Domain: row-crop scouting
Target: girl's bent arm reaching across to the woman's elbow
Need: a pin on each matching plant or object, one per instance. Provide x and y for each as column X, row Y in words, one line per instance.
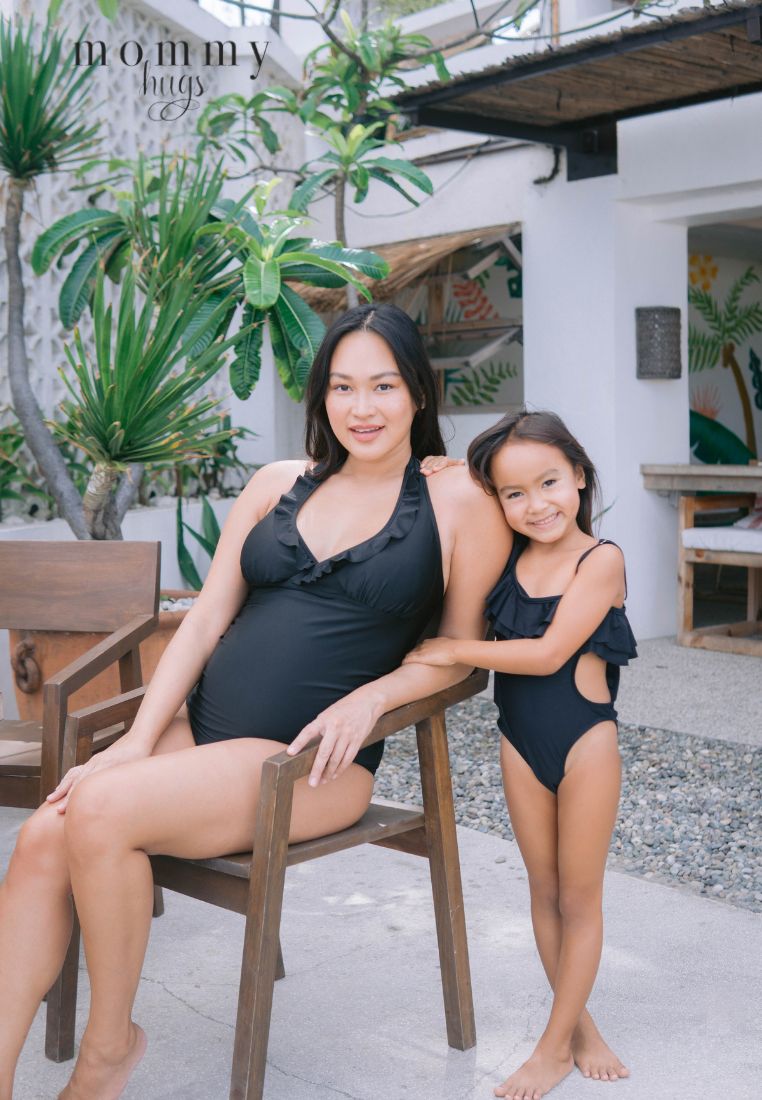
column 598, row 587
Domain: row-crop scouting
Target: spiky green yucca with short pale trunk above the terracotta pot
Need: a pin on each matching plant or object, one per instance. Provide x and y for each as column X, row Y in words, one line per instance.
column 130, row 401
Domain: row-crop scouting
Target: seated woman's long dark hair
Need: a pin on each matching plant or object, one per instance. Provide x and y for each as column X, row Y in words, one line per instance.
column 402, row 335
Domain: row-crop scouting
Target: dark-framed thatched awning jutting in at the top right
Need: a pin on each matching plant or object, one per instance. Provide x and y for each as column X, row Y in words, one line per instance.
column 664, row 62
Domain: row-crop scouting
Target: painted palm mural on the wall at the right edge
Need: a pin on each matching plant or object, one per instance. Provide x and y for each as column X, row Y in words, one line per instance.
column 725, row 359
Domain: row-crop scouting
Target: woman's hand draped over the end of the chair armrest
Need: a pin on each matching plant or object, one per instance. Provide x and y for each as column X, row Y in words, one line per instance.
column 343, row 729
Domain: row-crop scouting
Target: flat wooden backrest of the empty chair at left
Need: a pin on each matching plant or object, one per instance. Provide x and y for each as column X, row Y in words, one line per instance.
column 78, row 586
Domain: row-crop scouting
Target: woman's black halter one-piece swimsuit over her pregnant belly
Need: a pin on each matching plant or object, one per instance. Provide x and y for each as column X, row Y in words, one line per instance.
column 312, row 632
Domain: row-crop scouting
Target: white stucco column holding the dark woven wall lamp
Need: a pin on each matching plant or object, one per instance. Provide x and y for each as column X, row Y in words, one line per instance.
column 590, row 260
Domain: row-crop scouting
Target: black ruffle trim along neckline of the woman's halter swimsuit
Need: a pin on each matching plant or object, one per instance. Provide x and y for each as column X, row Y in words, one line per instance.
column 399, row 527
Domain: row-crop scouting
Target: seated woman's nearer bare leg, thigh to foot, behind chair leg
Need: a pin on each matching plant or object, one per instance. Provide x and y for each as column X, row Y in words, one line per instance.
column 196, row 804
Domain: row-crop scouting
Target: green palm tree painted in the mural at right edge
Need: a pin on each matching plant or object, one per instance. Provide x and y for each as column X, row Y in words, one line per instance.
column 730, row 325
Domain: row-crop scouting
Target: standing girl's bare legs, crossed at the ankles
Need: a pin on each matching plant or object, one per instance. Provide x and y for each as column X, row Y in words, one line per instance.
column 561, row 874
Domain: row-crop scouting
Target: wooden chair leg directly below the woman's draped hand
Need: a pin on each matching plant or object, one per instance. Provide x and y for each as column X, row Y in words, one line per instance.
column 261, row 945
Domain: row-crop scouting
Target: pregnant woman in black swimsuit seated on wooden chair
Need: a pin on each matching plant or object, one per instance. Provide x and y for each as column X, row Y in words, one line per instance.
column 327, row 574
